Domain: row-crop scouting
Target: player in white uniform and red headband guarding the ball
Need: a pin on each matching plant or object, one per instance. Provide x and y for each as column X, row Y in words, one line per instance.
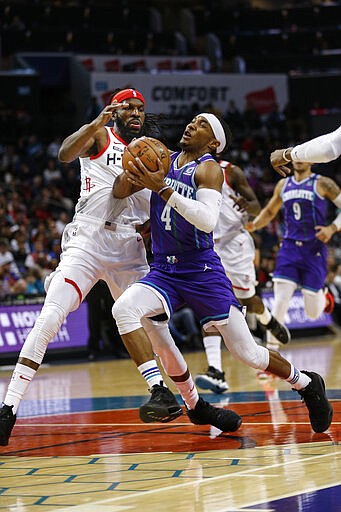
column 101, row 242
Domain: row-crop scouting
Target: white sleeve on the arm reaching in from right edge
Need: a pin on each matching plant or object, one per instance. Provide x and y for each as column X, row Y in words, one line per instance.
column 321, row 149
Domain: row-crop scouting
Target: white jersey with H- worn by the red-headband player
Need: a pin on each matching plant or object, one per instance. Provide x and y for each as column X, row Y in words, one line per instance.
column 98, row 174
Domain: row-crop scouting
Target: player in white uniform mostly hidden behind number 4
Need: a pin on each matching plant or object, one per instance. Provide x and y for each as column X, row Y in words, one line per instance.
column 236, row 249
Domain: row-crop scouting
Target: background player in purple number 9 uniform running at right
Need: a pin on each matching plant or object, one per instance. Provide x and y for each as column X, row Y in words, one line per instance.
column 302, row 258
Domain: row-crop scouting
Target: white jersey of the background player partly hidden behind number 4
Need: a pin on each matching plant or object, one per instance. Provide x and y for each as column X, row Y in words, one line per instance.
column 231, row 220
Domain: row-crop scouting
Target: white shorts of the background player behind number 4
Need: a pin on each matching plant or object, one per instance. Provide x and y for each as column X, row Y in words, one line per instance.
column 238, row 256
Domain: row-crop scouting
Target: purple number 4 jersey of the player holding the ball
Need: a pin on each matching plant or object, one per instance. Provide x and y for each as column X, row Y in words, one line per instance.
column 171, row 233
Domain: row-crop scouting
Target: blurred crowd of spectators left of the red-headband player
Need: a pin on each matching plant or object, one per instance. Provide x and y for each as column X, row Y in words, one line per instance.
column 37, row 197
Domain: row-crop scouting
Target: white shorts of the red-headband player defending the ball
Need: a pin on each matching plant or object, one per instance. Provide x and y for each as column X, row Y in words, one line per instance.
column 91, row 252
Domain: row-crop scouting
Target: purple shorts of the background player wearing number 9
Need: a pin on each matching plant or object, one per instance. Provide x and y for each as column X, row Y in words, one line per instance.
column 305, row 263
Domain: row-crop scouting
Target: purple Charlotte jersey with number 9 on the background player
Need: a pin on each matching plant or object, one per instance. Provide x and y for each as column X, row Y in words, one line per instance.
column 304, row 208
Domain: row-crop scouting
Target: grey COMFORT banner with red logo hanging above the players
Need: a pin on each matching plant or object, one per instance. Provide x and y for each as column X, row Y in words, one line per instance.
column 174, row 94
